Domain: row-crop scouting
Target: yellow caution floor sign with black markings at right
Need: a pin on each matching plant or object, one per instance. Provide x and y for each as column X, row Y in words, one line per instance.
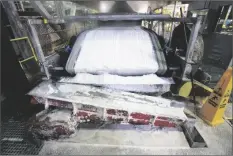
column 213, row 110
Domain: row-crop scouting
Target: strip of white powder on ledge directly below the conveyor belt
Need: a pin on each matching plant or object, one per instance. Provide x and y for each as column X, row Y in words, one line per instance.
column 145, row 83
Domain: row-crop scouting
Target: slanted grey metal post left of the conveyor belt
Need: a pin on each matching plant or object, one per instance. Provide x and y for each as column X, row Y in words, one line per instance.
column 38, row 49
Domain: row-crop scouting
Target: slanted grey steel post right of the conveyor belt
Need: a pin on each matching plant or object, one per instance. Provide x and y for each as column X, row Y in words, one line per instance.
column 188, row 59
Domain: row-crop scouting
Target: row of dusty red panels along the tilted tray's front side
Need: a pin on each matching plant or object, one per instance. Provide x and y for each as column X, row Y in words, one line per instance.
column 87, row 113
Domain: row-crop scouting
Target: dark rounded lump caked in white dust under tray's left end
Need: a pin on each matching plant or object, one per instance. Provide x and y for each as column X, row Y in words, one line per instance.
column 56, row 124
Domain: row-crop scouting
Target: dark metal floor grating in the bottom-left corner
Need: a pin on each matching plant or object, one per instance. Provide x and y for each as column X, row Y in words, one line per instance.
column 14, row 140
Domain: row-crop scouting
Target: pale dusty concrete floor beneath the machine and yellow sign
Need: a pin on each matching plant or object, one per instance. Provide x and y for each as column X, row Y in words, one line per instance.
column 89, row 142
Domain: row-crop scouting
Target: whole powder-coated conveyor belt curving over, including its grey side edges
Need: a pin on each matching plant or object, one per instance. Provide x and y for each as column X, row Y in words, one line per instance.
column 147, row 64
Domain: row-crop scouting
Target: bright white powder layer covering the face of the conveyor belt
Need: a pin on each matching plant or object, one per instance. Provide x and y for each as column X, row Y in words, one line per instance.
column 117, row 50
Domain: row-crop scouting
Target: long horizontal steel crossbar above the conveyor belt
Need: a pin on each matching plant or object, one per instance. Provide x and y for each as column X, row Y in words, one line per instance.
column 126, row 17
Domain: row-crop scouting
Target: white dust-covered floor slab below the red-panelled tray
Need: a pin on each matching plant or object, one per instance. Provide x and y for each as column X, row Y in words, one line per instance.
column 131, row 138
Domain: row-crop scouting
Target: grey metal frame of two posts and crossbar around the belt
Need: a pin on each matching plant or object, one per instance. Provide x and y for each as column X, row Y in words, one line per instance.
column 107, row 17
